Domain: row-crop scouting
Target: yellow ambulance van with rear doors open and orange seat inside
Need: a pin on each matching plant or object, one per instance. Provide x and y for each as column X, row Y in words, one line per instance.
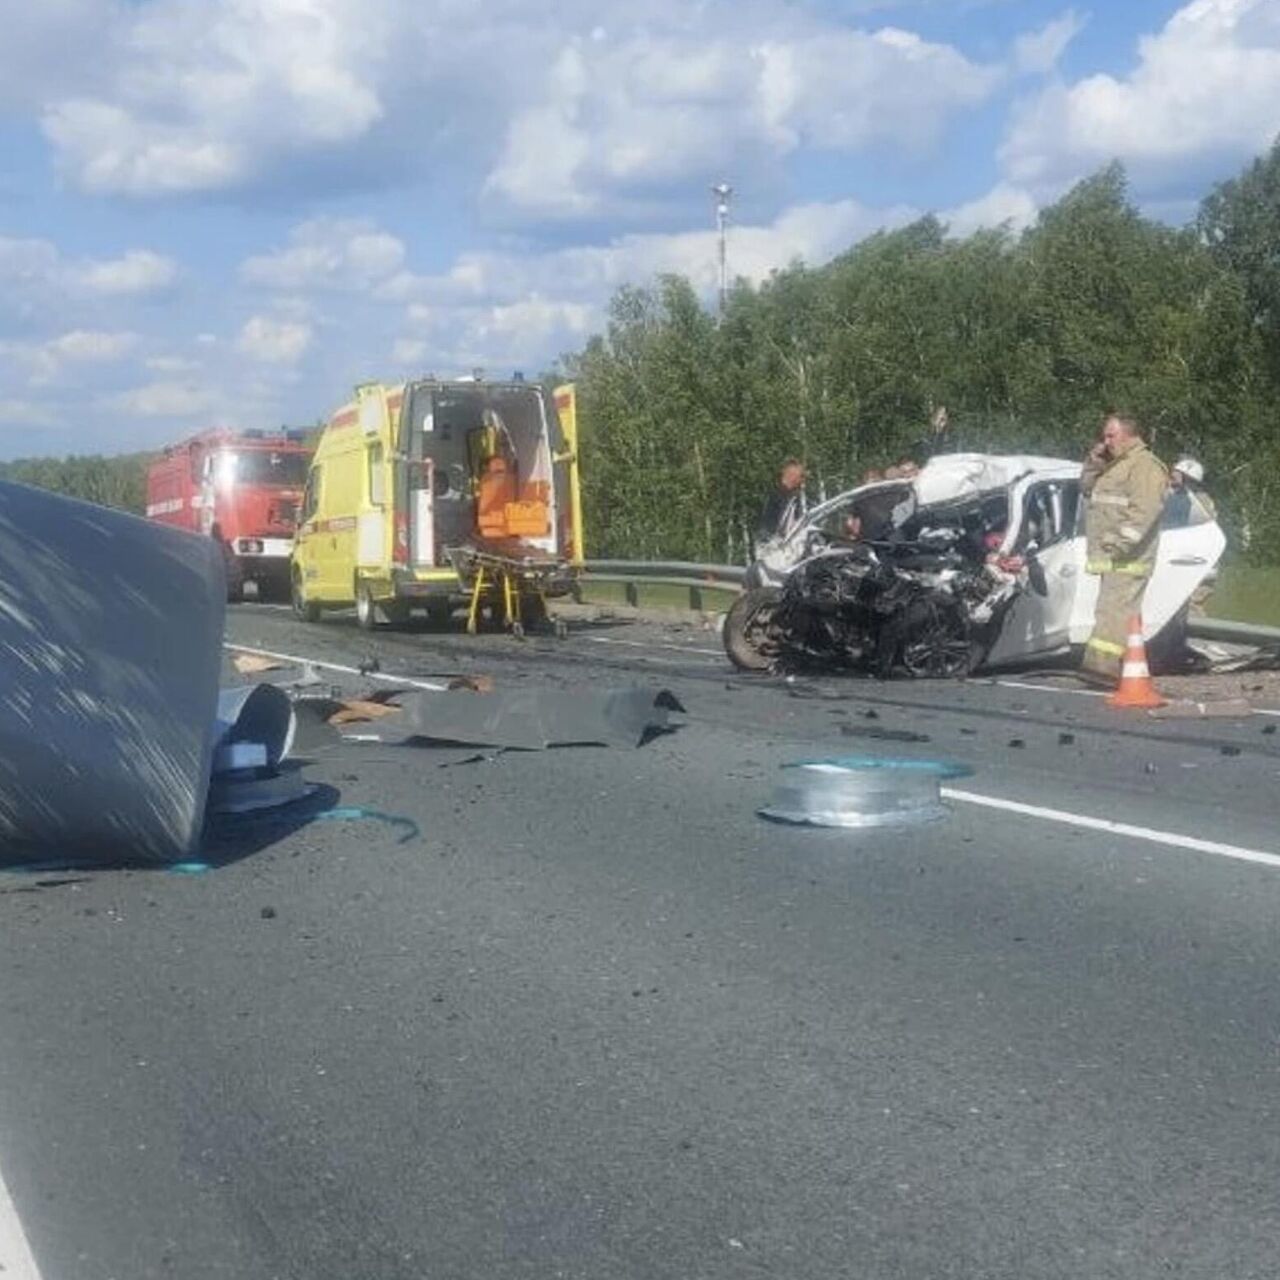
column 410, row 482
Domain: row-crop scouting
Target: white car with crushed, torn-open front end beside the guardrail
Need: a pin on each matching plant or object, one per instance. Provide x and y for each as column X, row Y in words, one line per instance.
column 979, row 561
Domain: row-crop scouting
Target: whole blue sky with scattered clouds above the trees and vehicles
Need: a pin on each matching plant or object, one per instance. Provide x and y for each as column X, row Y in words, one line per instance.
column 227, row 212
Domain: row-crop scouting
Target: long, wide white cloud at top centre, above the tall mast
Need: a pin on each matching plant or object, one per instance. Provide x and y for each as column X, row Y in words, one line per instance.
column 644, row 111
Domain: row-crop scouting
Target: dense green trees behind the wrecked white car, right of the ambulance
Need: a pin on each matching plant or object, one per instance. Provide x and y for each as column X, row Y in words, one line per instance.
column 1026, row 340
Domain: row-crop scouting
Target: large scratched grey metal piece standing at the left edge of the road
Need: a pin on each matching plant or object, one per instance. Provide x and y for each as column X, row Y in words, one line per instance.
column 108, row 693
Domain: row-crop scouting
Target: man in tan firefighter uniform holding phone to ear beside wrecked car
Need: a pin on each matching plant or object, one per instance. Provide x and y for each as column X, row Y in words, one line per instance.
column 1124, row 484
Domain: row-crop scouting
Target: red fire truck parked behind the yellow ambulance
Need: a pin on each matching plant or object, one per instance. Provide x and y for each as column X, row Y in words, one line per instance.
column 243, row 488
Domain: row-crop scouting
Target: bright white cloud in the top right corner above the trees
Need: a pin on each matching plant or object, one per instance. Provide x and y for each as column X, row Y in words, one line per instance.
column 1206, row 90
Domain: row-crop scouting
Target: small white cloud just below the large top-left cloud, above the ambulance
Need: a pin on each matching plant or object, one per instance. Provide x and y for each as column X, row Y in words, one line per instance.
column 328, row 254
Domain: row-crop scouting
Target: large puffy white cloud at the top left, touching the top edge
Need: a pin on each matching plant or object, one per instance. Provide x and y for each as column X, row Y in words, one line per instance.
column 203, row 98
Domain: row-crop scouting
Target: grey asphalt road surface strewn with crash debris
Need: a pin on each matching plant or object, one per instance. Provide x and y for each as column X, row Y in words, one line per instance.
column 598, row 1020
